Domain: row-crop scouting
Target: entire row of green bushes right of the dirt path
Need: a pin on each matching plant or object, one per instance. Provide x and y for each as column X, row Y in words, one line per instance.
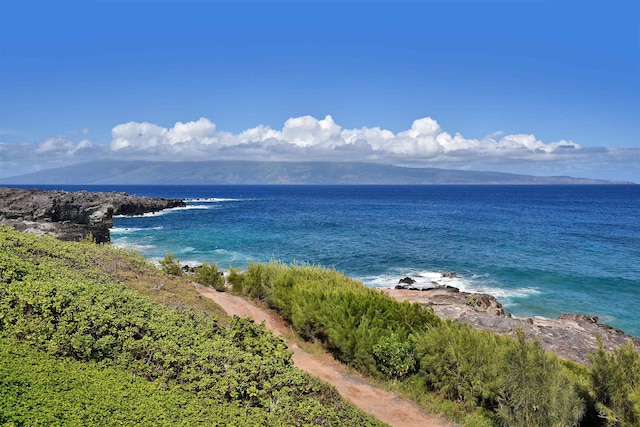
column 488, row 379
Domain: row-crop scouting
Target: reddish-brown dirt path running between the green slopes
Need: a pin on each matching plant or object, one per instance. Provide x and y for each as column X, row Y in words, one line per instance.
column 380, row 403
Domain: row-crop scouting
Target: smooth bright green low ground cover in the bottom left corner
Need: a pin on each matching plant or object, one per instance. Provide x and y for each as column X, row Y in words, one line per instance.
column 39, row 389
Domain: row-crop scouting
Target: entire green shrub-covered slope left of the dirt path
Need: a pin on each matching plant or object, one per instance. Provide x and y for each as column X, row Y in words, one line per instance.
column 93, row 335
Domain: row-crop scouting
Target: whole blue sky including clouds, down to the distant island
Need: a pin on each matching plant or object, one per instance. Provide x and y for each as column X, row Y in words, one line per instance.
column 537, row 87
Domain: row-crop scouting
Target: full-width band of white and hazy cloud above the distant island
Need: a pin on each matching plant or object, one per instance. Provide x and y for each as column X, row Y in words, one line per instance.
column 303, row 138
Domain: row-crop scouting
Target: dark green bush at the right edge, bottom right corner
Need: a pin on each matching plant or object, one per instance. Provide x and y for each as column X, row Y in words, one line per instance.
column 616, row 383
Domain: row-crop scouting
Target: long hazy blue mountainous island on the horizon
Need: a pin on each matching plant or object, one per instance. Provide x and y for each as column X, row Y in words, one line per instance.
column 252, row 172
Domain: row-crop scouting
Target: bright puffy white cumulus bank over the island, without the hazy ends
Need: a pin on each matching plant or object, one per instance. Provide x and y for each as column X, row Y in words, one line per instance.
column 306, row 137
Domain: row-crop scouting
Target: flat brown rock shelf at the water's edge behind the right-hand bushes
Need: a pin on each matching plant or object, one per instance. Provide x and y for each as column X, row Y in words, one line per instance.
column 571, row 336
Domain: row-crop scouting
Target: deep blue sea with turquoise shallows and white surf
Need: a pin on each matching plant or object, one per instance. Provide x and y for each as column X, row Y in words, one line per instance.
column 542, row 250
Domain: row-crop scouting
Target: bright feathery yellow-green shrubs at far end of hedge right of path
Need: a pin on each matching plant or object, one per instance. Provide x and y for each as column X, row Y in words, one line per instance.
column 340, row 312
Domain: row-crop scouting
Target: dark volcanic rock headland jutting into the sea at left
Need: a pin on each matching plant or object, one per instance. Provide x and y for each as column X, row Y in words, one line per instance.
column 72, row 215
